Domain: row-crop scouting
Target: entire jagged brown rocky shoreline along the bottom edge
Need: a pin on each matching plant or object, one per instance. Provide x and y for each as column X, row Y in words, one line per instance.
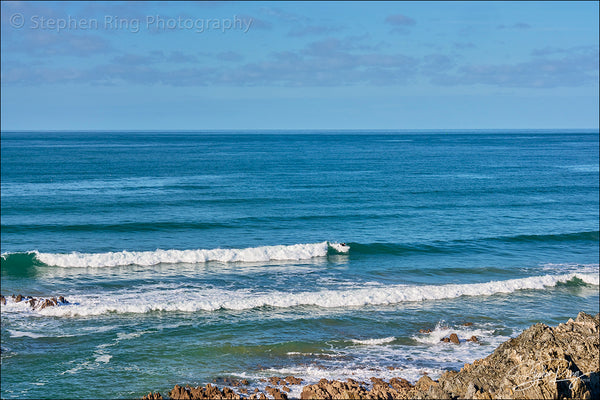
column 543, row 362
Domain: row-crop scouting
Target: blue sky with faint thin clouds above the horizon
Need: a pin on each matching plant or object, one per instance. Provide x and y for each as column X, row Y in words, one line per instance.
column 299, row 65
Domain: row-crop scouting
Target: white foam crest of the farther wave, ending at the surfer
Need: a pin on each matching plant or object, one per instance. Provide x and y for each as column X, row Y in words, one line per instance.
column 147, row 258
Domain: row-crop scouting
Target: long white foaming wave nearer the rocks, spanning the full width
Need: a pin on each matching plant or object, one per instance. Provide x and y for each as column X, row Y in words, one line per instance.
column 144, row 300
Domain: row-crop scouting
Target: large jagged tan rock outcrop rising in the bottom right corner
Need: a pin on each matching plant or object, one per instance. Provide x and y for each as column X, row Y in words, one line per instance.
column 543, row 362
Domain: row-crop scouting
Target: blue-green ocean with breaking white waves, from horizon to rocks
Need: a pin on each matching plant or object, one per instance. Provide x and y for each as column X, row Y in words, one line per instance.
column 193, row 257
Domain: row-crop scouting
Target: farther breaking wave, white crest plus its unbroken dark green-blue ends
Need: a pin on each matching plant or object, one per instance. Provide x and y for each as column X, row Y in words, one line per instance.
column 18, row 262
